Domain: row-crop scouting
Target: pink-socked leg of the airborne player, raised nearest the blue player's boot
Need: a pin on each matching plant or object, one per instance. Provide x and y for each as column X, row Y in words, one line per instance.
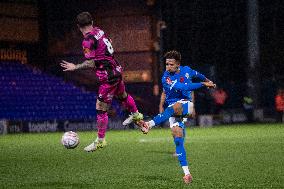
column 128, row 102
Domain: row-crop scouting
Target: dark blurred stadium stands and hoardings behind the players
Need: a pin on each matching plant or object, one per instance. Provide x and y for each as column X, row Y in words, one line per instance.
column 237, row 44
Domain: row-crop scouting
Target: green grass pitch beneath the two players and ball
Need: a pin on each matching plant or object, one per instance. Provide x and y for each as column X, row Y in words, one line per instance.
column 238, row 156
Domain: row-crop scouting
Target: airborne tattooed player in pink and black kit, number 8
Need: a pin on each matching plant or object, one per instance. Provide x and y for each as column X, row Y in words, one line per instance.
column 98, row 52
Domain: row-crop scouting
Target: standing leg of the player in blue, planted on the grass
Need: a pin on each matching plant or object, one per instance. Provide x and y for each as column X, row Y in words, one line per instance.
column 178, row 132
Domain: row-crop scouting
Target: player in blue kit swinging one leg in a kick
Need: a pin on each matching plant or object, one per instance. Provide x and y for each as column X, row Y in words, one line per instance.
column 177, row 87
